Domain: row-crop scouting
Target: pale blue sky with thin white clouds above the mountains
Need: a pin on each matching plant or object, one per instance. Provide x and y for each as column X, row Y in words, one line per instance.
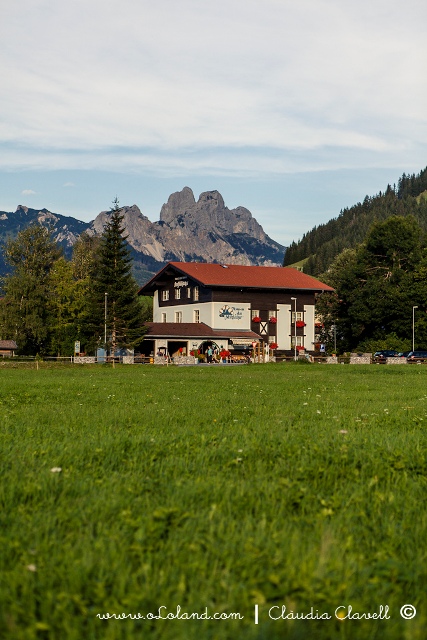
column 294, row 110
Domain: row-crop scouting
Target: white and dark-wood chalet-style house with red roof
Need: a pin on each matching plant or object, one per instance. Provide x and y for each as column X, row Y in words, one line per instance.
column 230, row 306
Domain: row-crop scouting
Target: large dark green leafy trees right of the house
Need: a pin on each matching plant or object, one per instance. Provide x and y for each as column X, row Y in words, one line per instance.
column 377, row 285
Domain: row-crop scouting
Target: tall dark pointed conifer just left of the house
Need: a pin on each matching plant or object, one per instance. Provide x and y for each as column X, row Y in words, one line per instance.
column 116, row 290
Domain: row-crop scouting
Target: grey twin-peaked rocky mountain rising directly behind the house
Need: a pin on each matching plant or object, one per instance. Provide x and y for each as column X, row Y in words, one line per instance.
column 205, row 230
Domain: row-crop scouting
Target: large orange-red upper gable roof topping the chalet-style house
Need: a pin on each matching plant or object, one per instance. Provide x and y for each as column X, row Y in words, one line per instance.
column 234, row 275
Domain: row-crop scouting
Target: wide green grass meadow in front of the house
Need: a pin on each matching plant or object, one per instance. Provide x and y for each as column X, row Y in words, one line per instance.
column 219, row 488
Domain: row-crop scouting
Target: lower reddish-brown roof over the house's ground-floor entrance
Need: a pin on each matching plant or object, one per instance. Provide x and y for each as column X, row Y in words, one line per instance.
column 194, row 330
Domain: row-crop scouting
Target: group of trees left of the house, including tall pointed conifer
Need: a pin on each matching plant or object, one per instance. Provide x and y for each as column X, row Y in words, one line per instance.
column 50, row 302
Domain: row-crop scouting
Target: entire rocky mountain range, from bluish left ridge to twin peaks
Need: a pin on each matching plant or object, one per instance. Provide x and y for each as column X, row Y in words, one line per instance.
column 188, row 230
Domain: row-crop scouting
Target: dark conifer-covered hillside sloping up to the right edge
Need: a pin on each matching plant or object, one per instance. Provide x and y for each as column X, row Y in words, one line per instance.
column 323, row 243
